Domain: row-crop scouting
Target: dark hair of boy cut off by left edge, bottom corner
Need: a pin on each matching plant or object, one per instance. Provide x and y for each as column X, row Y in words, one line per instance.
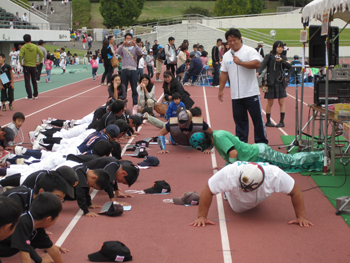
column 10, row 211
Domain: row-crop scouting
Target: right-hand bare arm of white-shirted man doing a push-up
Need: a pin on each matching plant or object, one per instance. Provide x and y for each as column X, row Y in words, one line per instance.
column 299, row 208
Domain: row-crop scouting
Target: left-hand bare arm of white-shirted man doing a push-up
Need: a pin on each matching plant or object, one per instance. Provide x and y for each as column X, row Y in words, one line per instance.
column 203, row 208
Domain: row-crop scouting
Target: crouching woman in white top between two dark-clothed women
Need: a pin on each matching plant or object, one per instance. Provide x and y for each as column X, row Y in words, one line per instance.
column 146, row 91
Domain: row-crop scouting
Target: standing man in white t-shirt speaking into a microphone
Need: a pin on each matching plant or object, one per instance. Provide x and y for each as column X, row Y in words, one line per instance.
column 240, row 66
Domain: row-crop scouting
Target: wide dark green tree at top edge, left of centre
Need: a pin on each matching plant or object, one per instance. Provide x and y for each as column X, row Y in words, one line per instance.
column 118, row 13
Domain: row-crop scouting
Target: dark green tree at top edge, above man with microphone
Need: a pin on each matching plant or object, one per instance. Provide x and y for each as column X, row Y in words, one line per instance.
column 232, row 7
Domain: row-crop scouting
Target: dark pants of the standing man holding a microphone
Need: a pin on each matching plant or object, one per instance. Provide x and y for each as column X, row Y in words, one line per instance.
column 240, row 108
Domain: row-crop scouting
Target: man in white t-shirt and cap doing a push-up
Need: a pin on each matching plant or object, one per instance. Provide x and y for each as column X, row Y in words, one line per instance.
column 248, row 184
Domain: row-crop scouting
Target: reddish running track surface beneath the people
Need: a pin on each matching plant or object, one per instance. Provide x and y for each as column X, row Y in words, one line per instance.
column 159, row 232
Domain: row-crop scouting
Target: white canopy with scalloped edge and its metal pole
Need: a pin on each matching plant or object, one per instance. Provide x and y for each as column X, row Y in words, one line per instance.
column 335, row 9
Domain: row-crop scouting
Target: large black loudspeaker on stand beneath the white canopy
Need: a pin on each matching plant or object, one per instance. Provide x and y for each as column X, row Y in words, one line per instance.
column 317, row 47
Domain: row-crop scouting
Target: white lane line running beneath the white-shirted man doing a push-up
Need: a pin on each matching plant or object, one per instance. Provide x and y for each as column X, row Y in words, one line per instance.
column 222, row 222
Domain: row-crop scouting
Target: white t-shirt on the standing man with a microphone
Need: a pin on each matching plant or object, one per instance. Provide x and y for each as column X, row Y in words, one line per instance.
column 243, row 81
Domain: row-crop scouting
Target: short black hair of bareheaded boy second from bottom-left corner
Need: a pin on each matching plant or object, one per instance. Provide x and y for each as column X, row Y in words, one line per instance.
column 45, row 205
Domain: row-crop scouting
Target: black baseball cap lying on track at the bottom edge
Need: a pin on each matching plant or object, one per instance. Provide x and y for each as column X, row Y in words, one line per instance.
column 112, row 251
